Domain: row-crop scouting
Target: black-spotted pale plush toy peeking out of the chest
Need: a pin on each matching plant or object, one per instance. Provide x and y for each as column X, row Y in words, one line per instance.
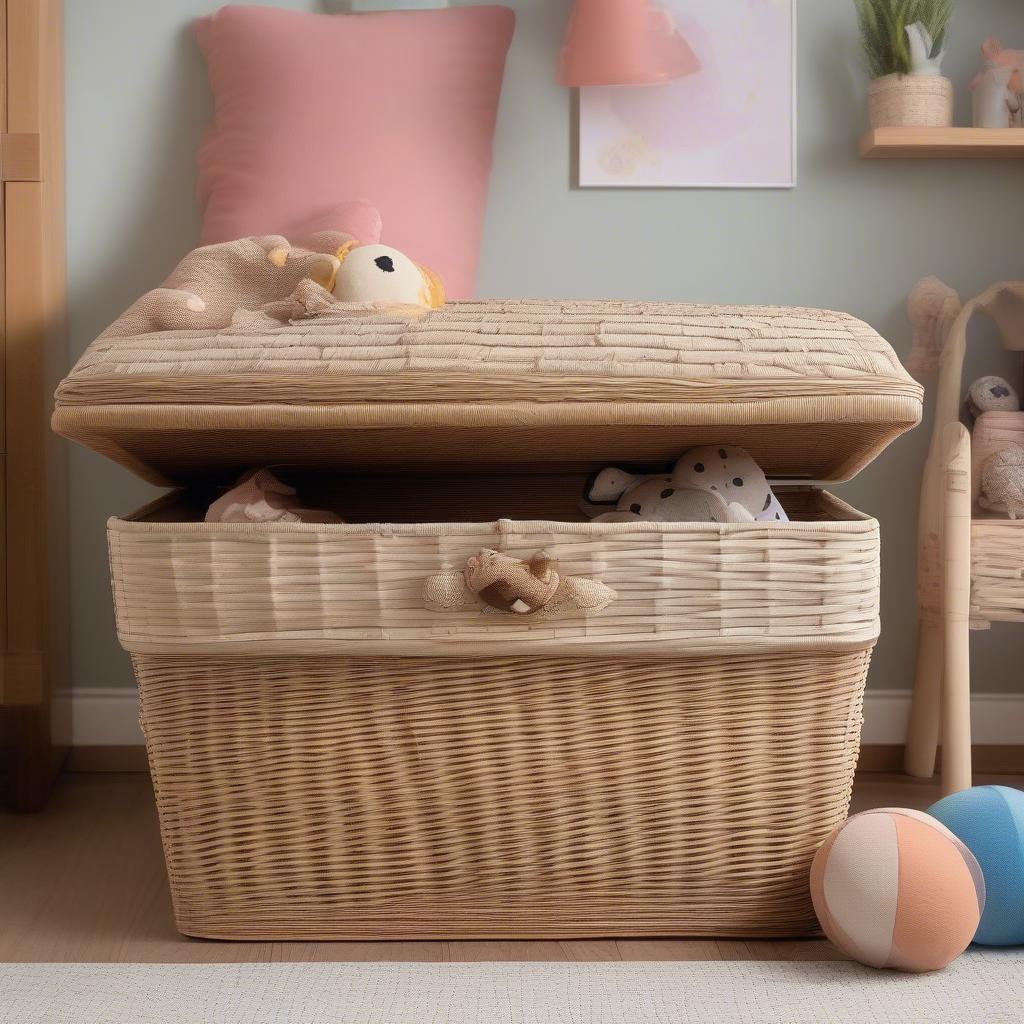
column 712, row 484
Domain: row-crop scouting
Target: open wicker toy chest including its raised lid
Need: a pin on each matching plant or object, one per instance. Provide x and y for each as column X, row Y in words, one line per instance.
column 335, row 760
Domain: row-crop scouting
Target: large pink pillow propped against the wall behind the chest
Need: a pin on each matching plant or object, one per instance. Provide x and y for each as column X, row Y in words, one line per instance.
column 396, row 110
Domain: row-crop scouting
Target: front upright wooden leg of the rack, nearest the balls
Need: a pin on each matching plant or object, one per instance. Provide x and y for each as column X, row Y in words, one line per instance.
column 957, row 611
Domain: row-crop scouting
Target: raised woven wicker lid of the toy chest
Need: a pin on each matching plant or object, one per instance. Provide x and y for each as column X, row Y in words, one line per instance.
column 571, row 386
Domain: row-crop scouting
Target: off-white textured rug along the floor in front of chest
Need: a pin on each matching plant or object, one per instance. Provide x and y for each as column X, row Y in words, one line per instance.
column 982, row 987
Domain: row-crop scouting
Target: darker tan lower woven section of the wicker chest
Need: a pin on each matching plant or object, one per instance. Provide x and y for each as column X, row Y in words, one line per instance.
column 392, row 798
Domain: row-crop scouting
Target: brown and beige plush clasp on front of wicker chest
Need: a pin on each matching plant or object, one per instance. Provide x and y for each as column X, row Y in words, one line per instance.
column 493, row 582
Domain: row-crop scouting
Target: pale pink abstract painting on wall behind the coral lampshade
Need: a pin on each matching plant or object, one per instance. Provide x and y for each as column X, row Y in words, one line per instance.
column 730, row 125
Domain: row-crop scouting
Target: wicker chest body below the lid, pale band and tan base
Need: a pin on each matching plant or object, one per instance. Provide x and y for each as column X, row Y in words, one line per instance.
column 666, row 767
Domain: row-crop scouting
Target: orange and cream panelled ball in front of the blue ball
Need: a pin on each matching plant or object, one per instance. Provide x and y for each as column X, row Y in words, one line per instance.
column 894, row 888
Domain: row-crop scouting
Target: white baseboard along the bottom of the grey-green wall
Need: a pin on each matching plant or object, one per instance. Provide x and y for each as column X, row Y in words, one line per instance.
column 109, row 717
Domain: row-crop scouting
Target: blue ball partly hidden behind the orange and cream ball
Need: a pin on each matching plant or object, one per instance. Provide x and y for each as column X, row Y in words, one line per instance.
column 990, row 821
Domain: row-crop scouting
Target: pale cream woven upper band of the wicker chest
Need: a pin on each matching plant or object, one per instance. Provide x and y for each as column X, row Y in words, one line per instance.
column 682, row 588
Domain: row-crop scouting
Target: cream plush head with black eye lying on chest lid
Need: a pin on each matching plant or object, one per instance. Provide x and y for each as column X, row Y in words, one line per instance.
column 380, row 276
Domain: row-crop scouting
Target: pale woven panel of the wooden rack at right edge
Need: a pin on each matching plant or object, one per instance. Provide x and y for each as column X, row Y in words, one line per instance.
column 997, row 572
